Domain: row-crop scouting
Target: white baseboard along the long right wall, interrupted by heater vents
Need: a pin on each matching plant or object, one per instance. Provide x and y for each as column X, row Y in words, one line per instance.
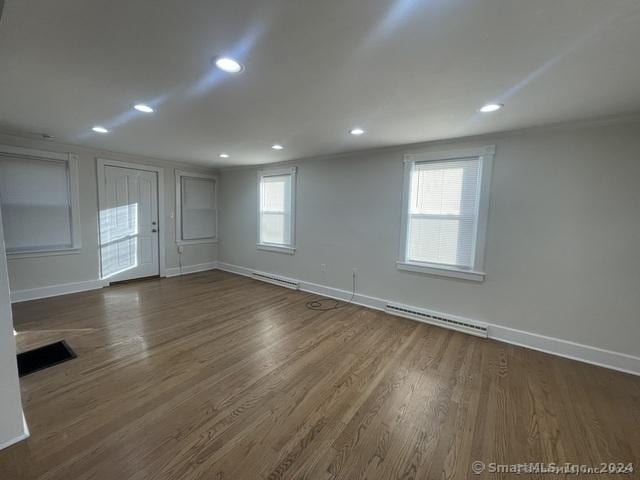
column 555, row 346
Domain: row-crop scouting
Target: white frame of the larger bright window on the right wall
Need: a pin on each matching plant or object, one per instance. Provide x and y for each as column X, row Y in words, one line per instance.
column 476, row 272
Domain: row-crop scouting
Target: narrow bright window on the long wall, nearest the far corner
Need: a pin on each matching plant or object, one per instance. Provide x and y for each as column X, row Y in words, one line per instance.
column 276, row 207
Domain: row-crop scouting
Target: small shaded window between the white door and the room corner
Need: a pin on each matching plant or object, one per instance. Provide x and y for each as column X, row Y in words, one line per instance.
column 196, row 208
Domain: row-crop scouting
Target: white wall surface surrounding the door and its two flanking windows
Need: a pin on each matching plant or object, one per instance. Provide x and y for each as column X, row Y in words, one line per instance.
column 37, row 272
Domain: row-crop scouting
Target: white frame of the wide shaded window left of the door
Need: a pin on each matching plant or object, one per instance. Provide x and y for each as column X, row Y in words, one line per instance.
column 74, row 200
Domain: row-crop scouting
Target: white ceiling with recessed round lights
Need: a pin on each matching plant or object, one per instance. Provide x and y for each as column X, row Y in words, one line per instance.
column 405, row 70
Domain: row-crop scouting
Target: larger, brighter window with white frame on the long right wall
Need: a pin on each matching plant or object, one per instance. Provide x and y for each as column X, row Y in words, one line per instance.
column 445, row 212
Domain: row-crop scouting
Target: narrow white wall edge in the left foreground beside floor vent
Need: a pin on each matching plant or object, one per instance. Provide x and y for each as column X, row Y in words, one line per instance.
column 11, row 423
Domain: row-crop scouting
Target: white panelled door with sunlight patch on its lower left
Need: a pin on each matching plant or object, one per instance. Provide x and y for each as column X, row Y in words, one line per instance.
column 129, row 224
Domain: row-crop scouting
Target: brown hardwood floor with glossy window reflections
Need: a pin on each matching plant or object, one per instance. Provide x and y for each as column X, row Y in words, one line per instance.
column 217, row 376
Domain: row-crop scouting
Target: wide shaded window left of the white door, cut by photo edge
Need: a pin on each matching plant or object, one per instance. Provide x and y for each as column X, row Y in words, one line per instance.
column 39, row 201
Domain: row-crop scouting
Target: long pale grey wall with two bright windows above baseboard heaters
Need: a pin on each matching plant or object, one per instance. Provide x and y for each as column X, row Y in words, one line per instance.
column 562, row 255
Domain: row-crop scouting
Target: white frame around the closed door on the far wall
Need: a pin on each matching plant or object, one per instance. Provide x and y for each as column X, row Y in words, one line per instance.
column 103, row 162
